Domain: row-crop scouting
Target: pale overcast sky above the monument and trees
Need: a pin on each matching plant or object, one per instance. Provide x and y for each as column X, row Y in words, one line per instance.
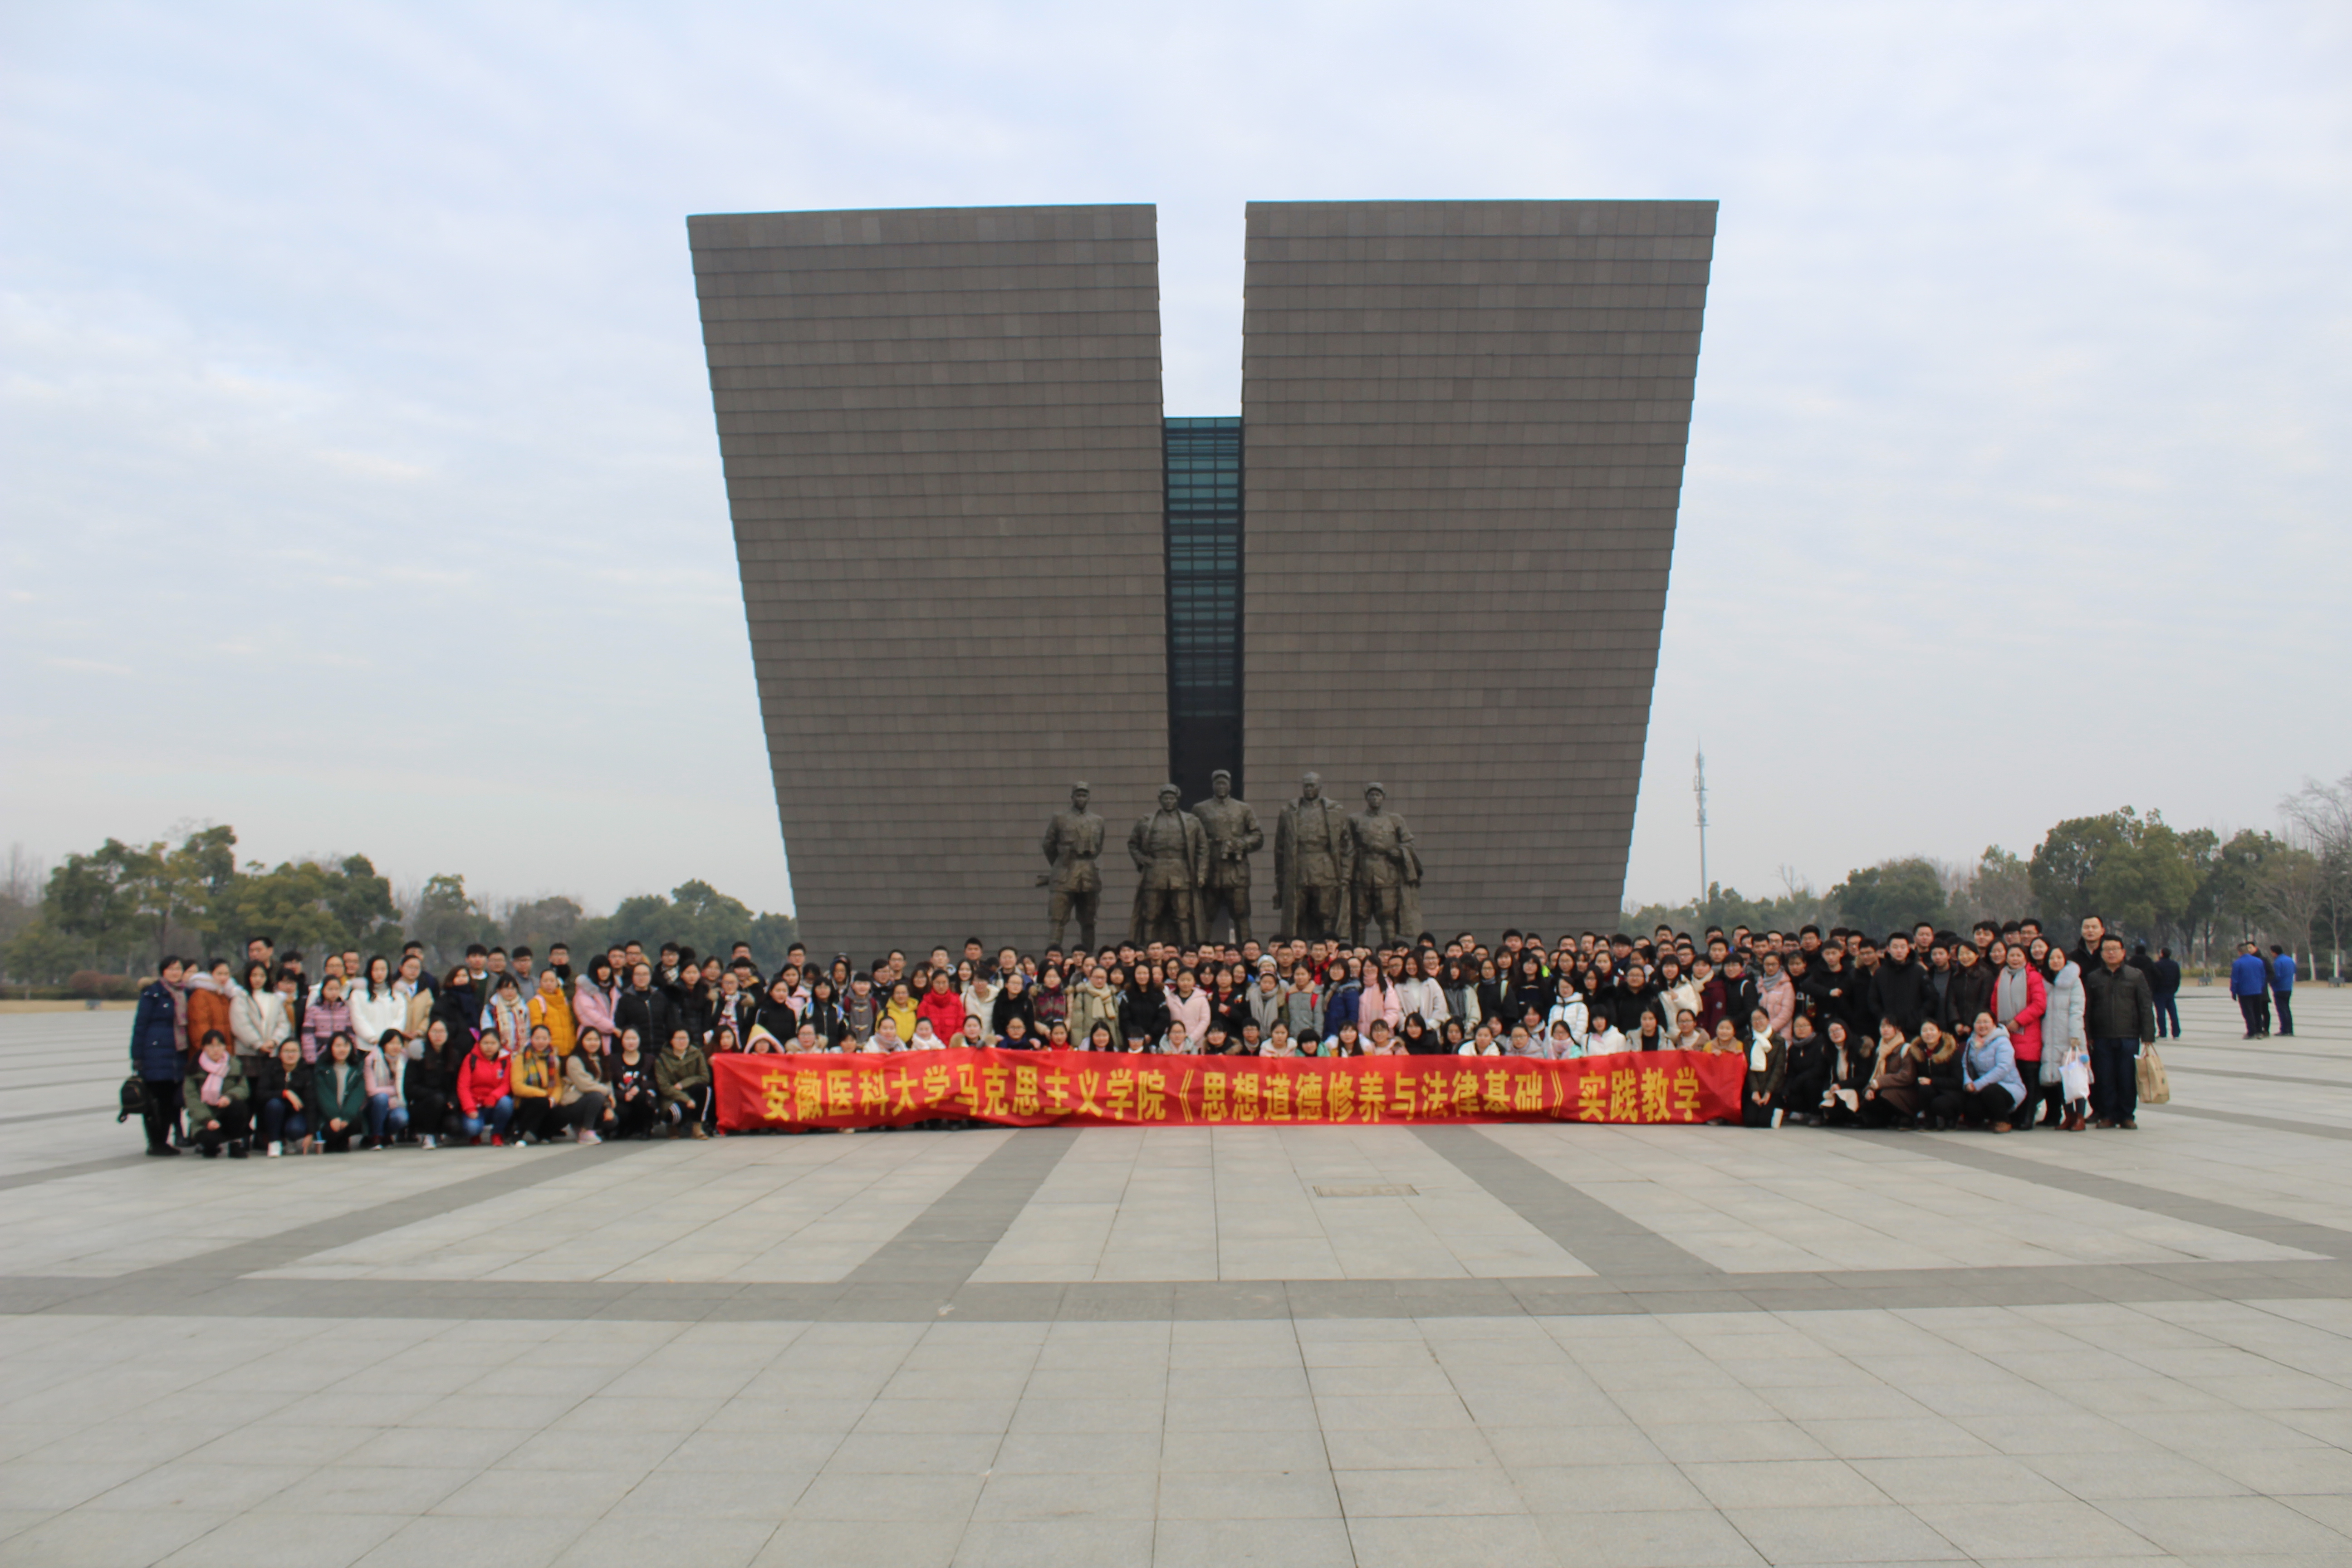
column 361, row 483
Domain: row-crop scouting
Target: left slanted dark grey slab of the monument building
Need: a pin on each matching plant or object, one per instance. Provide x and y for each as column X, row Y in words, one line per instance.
column 942, row 443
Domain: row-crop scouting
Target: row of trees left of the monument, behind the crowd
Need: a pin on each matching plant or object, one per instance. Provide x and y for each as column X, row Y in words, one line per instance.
column 107, row 916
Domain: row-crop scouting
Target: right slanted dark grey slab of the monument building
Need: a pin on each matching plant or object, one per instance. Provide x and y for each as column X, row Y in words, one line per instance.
column 1466, row 429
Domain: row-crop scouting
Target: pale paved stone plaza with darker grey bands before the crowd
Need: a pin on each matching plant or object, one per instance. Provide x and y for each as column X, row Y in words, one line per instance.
column 1241, row 1346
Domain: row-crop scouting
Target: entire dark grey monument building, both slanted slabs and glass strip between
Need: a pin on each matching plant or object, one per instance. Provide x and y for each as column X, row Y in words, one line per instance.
column 980, row 565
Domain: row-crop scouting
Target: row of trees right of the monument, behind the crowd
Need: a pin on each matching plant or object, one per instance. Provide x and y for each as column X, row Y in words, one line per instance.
column 2186, row 890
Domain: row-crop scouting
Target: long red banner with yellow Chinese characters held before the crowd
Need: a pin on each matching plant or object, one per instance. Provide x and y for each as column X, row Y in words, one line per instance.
column 1116, row 1090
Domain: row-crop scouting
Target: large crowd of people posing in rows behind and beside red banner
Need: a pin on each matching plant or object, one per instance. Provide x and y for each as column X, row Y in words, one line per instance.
column 2003, row 1028
